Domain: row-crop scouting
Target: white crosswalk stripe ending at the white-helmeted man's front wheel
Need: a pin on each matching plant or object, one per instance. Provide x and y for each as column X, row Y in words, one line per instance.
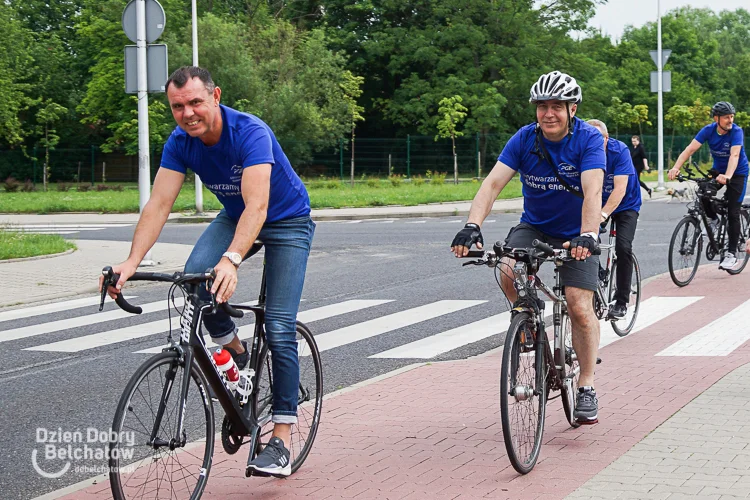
column 451, row 339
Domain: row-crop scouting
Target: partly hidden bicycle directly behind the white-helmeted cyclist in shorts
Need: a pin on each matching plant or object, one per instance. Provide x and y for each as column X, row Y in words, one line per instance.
column 604, row 296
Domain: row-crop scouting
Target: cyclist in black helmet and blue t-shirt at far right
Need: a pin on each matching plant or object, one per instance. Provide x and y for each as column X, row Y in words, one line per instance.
column 726, row 141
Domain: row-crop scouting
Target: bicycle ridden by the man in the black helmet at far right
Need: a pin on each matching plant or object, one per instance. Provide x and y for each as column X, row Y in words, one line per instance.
column 686, row 244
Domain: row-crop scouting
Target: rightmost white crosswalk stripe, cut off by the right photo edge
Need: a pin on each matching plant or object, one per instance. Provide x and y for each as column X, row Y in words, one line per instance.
column 718, row 338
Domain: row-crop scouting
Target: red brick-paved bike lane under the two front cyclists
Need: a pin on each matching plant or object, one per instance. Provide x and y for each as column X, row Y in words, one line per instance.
column 434, row 431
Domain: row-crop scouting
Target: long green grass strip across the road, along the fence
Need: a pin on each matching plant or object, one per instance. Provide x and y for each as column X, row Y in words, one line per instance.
column 323, row 194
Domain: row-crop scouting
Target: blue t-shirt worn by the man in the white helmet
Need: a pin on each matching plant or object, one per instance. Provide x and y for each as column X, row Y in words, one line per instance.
column 547, row 205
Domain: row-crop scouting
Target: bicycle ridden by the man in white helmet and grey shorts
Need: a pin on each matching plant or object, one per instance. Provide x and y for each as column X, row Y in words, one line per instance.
column 531, row 369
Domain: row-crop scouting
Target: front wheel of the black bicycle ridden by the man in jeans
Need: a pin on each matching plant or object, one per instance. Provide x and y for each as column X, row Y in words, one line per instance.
column 166, row 465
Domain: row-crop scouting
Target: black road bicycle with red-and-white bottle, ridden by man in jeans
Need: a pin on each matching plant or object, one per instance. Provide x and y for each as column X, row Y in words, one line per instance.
column 164, row 427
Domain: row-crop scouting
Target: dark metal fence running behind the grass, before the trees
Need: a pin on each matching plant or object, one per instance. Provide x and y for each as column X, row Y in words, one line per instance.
column 409, row 156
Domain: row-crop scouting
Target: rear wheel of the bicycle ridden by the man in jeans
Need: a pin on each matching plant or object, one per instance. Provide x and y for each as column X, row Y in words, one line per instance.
column 310, row 397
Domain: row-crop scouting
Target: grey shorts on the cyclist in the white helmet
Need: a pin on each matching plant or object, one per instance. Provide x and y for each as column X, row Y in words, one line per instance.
column 575, row 273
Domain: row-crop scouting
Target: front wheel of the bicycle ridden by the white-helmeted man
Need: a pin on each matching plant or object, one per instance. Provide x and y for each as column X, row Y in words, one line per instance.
column 522, row 403
